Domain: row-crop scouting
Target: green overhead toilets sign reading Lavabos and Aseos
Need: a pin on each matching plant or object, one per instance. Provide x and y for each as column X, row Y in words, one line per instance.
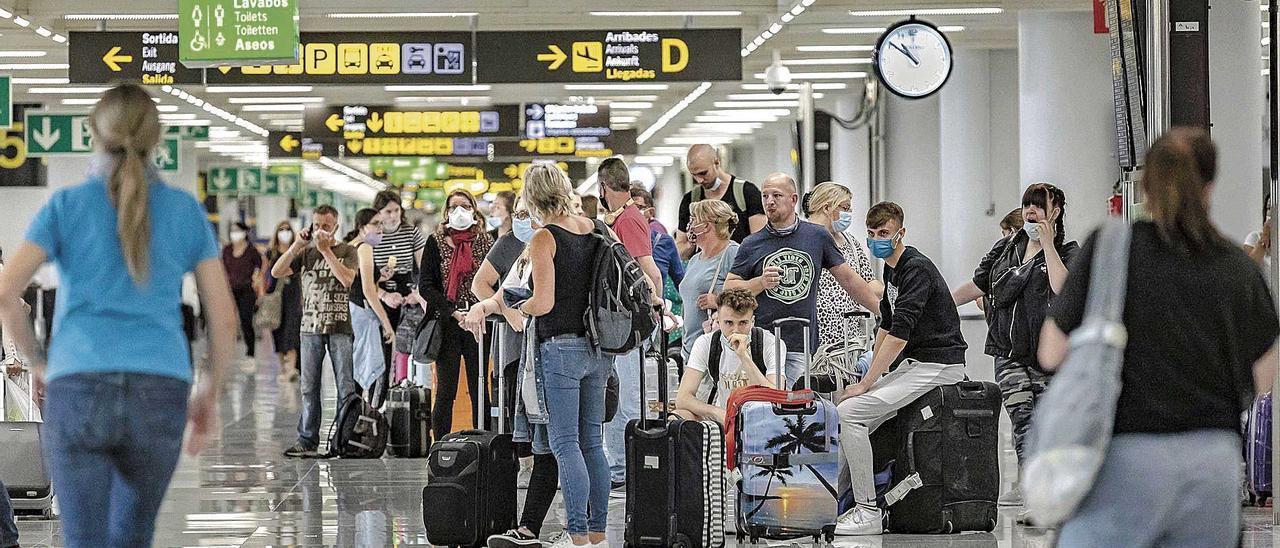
column 237, row 33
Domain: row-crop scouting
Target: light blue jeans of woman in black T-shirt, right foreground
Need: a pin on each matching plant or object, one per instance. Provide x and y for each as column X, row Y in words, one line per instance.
column 1163, row 491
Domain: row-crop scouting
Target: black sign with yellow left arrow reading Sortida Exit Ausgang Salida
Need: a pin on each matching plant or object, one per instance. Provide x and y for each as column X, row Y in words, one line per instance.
column 149, row 58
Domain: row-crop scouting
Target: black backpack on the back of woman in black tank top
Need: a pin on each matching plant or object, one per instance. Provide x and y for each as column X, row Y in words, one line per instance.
column 619, row 310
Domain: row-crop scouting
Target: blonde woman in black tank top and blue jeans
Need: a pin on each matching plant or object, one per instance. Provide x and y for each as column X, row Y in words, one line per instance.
column 572, row 373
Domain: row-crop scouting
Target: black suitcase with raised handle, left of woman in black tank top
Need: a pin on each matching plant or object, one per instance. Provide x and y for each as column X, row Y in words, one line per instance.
column 472, row 492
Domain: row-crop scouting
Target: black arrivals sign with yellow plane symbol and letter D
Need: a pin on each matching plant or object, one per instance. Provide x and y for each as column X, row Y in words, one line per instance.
column 604, row 56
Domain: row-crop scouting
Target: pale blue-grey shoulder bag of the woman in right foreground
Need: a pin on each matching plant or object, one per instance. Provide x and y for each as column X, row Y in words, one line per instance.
column 1076, row 417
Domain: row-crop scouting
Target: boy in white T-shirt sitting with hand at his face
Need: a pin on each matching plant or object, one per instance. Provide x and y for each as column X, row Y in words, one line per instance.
column 738, row 355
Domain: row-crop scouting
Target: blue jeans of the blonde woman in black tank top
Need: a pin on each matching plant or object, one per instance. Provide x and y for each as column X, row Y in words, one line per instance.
column 575, row 407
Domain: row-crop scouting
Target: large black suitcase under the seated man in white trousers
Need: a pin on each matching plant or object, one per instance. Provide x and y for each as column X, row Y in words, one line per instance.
column 948, row 462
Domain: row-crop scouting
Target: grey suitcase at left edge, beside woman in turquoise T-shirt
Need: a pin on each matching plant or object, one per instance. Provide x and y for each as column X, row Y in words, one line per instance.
column 22, row 469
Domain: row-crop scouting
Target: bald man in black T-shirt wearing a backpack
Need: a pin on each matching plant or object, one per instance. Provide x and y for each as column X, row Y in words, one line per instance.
column 714, row 182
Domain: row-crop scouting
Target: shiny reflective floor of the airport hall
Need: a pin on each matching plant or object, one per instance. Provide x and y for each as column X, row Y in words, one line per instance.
column 244, row 494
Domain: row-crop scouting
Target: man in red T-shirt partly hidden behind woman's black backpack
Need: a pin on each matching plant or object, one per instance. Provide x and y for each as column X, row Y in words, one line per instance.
column 633, row 231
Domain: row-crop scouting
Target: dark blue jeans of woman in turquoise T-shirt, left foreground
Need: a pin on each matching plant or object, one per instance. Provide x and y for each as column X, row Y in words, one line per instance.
column 112, row 442
